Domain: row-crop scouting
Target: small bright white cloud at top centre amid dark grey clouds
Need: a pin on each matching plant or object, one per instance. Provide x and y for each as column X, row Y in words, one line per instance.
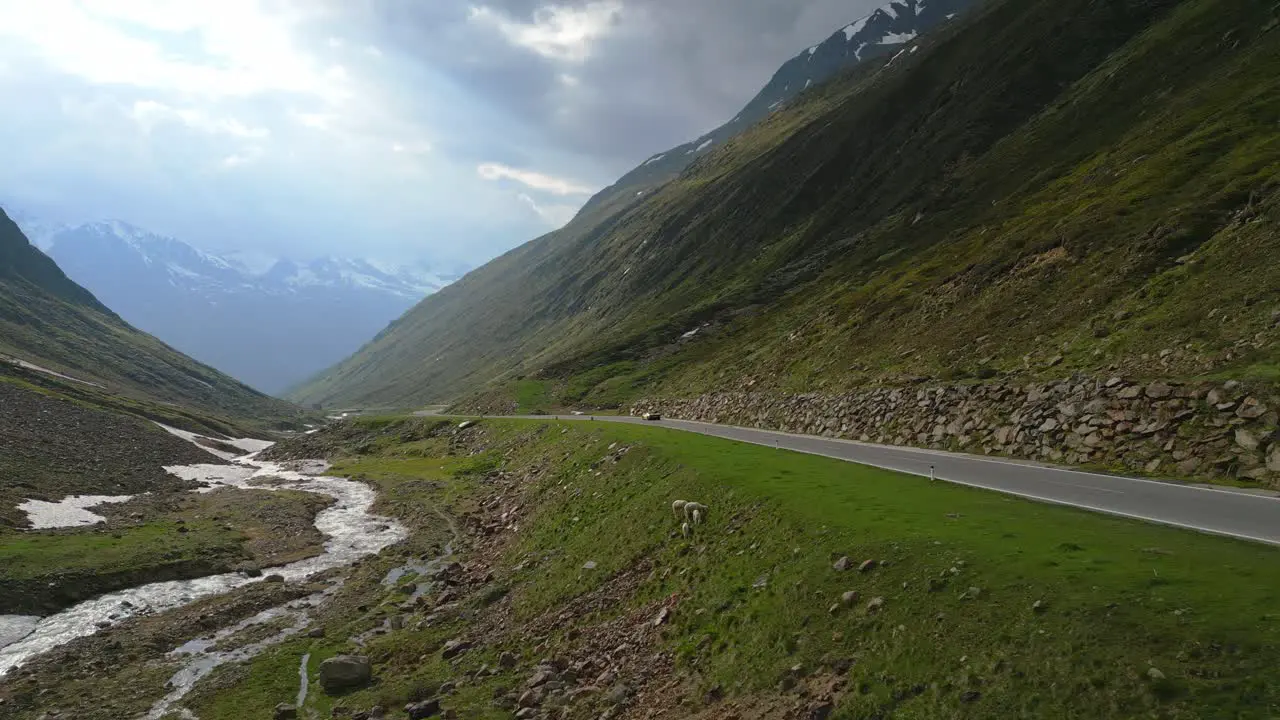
column 560, row 33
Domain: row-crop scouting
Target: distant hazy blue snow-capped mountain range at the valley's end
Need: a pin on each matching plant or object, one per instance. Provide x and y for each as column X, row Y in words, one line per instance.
column 269, row 329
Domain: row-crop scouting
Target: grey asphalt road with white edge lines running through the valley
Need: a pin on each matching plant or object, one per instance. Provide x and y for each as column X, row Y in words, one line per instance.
column 1224, row 512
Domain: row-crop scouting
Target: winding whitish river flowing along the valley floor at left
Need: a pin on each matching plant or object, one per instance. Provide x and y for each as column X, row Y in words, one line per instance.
column 353, row 532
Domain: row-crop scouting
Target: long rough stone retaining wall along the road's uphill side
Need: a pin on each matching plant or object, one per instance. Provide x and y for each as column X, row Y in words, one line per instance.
column 1159, row 429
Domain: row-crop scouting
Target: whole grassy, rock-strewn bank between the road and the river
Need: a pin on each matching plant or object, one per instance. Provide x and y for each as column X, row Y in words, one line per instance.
column 815, row 587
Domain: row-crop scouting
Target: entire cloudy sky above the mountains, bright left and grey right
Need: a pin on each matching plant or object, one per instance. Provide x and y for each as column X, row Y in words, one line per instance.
column 444, row 131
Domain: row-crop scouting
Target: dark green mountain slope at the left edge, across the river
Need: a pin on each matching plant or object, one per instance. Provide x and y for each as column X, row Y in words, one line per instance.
column 49, row 321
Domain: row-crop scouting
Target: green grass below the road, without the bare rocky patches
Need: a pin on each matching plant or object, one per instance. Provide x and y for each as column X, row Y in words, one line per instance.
column 1132, row 619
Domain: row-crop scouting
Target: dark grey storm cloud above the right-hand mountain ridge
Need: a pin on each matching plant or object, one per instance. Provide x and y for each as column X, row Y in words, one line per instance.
column 664, row 71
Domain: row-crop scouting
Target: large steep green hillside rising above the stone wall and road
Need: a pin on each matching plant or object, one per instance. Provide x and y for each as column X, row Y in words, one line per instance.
column 1067, row 184
